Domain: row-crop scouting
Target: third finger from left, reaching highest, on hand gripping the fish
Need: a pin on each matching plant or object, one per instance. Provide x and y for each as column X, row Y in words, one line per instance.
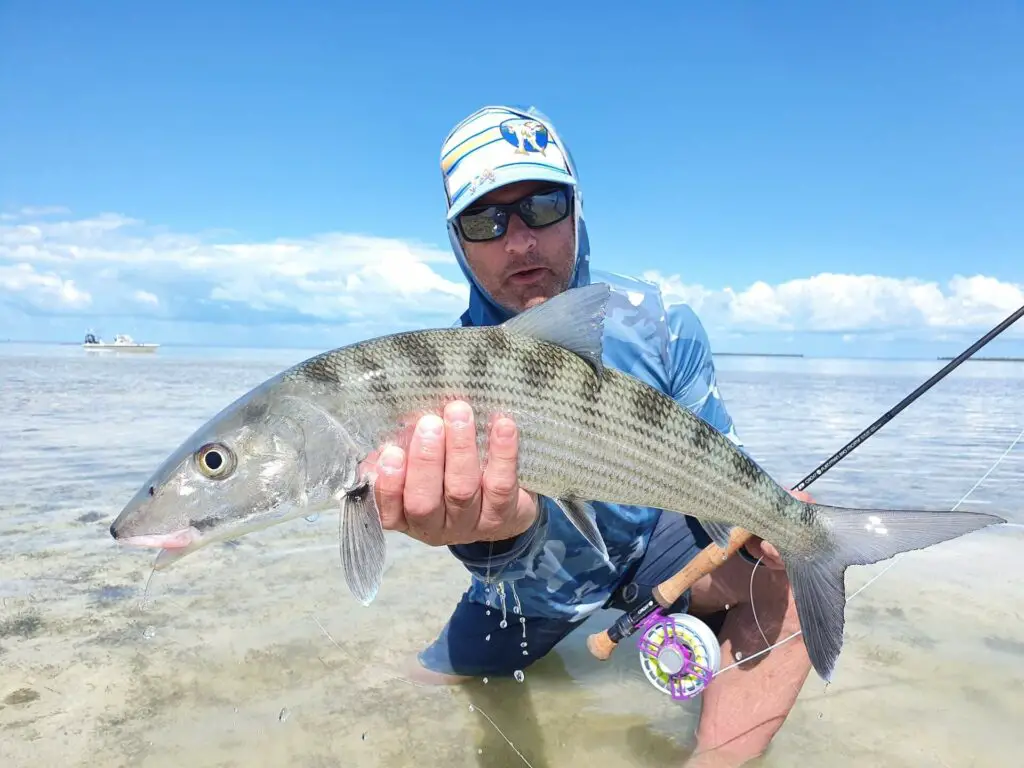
column 462, row 468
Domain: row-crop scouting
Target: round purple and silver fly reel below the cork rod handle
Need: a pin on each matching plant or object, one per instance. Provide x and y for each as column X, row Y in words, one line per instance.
column 679, row 655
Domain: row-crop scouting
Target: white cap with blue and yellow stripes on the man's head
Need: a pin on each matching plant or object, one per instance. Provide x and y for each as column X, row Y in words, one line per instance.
column 499, row 146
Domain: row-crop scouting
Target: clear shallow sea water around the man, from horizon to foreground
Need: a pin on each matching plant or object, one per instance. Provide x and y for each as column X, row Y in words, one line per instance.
column 254, row 653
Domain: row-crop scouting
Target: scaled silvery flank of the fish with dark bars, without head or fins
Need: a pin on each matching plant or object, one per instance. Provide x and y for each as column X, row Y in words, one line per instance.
column 571, row 420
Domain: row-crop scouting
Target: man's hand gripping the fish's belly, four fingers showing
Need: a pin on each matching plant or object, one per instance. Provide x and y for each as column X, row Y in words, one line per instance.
column 439, row 495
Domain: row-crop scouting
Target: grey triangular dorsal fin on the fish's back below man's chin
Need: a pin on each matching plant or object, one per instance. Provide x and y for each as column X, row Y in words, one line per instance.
column 574, row 320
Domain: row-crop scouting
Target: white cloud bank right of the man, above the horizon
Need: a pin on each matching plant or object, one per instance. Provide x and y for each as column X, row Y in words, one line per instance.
column 848, row 304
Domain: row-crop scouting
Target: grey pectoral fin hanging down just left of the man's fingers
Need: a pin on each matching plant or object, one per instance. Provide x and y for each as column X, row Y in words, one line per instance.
column 362, row 543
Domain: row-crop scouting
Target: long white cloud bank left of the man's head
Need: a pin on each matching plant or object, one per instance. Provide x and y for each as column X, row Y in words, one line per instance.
column 113, row 266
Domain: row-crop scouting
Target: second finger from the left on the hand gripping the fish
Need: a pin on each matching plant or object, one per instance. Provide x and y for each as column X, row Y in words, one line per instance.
column 424, row 502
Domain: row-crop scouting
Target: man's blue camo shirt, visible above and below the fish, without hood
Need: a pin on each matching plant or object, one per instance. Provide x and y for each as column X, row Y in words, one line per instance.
column 556, row 573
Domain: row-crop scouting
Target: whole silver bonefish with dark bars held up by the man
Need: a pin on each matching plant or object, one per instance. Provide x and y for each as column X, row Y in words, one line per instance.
column 294, row 445
